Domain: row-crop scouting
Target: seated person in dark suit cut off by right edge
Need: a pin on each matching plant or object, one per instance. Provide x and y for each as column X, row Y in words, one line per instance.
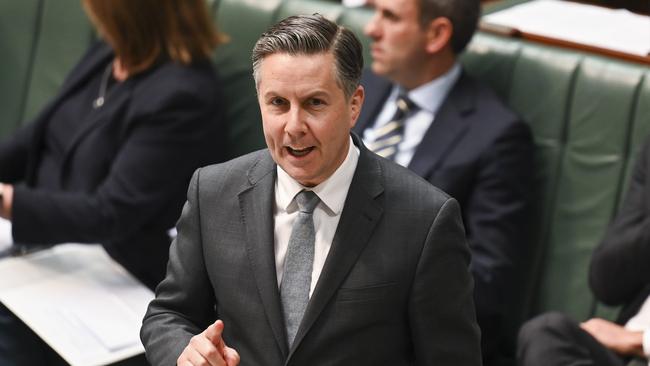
column 619, row 275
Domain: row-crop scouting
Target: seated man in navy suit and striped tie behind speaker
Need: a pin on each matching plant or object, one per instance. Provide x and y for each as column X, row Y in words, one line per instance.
column 425, row 113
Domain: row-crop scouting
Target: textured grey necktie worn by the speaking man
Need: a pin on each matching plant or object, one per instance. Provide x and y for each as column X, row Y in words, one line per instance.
column 298, row 263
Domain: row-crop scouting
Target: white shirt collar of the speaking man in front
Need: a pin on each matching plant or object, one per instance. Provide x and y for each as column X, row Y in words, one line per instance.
column 332, row 192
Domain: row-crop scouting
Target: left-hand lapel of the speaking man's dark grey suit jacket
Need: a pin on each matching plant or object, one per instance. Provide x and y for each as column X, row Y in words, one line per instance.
column 256, row 205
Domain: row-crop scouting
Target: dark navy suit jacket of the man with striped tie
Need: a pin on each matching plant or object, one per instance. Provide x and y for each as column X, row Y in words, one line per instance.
column 480, row 153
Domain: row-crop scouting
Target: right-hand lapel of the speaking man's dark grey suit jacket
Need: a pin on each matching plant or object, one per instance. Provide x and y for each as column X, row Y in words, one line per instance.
column 361, row 213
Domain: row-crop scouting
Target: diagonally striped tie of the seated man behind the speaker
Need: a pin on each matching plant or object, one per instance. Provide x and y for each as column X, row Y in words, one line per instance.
column 388, row 136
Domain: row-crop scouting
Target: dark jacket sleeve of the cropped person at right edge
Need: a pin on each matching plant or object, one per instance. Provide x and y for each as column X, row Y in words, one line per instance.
column 619, row 273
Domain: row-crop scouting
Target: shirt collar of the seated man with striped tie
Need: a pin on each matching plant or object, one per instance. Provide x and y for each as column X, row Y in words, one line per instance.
column 430, row 96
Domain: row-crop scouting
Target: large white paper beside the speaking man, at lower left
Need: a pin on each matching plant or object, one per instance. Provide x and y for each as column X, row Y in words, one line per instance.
column 78, row 300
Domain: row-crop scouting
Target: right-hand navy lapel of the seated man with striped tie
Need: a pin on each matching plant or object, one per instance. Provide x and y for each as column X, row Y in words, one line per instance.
column 448, row 127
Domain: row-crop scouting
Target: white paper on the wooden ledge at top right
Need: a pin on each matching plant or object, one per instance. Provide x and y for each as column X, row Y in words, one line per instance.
column 617, row 30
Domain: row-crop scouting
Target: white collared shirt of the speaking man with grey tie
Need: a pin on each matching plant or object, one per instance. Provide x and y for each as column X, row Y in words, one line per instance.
column 332, row 193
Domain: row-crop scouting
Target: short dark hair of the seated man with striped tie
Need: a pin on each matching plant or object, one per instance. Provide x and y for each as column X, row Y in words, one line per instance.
column 463, row 14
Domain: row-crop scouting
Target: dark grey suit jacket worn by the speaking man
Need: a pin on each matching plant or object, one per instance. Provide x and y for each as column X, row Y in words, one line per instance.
column 395, row 288
